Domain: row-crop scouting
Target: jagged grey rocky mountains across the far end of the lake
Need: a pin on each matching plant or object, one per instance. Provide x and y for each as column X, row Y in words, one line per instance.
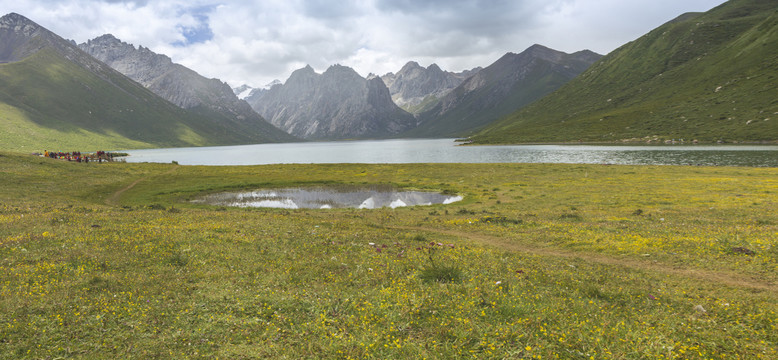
column 341, row 104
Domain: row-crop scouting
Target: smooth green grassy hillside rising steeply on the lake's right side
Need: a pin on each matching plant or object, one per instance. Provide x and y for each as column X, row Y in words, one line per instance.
column 708, row 77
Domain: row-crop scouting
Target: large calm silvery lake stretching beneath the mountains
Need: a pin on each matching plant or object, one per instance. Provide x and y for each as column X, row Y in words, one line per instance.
column 447, row 151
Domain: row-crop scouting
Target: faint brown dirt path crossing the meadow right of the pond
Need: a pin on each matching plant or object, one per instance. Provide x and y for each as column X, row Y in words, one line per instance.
column 729, row 279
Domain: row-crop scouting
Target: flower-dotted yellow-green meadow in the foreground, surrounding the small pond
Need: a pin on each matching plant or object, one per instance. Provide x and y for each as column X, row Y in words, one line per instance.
column 538, row 261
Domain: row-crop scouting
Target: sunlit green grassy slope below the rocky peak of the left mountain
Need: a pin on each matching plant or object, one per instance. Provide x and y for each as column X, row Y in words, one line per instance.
column 51, row 103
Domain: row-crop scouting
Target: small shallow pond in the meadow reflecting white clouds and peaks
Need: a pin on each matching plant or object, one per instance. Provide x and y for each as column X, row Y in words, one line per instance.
column 329, row 197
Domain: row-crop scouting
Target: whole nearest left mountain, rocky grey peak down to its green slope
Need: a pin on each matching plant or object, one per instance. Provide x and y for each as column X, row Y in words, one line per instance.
column 54, row 95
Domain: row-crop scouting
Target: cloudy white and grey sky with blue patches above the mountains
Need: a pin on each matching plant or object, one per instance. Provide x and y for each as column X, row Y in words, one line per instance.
column 257, row 41
